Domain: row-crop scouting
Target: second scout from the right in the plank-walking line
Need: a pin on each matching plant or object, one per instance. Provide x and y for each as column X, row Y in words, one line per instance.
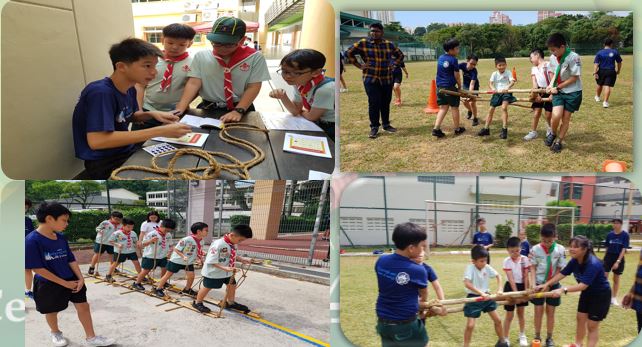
column 187, row 251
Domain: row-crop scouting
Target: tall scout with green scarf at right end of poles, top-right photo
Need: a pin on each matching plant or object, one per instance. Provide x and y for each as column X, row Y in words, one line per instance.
column 566, row 88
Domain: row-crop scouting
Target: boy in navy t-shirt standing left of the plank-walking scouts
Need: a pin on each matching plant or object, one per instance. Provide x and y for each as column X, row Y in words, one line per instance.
column 58, row 279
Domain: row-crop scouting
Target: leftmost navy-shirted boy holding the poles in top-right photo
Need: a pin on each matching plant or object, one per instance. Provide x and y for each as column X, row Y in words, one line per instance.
column 448, row 78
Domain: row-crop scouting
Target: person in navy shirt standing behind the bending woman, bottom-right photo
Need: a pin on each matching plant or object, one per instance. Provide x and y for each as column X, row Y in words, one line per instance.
column 617, row 241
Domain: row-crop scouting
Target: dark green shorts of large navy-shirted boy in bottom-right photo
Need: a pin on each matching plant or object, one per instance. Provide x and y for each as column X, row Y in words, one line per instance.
column 411, row 334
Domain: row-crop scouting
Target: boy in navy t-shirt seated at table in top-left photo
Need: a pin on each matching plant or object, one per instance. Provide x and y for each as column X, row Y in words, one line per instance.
column 106, row 107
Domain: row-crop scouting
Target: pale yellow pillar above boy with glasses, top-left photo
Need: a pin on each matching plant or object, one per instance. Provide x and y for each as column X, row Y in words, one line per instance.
column 320, row 14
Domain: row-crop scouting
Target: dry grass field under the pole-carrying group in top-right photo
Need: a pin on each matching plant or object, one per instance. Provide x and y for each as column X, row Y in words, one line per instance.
column 595, row 134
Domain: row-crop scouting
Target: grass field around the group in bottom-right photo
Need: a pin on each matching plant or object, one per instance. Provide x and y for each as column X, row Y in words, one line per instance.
column 358, row 291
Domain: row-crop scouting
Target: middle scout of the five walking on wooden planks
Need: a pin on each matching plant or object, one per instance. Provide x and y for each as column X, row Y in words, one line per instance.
column 157, row 246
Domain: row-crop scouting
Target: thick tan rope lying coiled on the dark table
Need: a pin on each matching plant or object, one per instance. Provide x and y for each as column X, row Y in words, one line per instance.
column 213, row 169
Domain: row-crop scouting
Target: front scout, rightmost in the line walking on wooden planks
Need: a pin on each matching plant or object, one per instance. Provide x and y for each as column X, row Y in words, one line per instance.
column 219, row 268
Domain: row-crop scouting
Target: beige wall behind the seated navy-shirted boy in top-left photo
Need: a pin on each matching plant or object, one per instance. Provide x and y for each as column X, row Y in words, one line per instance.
column 51, row 63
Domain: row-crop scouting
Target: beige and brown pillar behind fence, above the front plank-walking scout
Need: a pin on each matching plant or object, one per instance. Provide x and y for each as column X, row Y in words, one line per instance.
column 267, row 204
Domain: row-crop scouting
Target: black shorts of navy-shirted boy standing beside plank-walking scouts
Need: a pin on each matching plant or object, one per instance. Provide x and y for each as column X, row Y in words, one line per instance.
column 51, row 297
